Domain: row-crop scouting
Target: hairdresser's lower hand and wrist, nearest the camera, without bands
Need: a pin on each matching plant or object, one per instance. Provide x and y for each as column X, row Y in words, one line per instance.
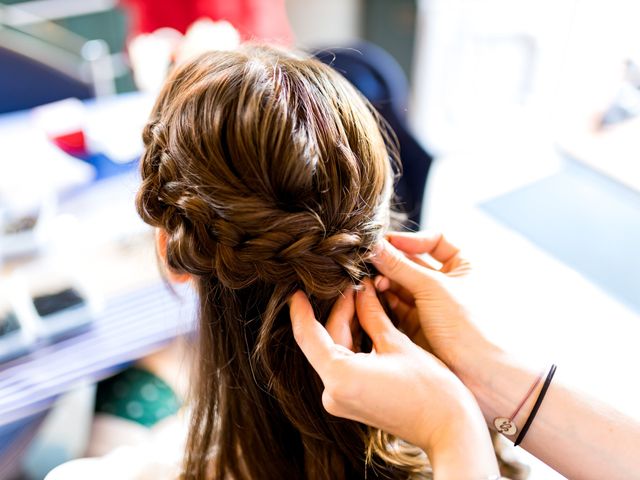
column 398, row 387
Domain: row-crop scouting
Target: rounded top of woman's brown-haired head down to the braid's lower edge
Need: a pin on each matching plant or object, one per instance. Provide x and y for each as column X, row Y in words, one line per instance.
column 262, row 166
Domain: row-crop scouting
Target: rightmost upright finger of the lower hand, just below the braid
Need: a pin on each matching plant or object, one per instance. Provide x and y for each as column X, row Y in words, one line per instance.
column 372, row 316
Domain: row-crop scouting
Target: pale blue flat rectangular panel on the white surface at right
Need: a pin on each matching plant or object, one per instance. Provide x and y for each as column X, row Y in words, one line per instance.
column 586, row 220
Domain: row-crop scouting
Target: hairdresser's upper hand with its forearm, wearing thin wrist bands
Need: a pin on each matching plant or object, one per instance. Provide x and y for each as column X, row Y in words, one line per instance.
column 575, row 434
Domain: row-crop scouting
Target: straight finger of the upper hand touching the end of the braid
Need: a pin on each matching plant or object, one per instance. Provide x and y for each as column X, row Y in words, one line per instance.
column 393, row 264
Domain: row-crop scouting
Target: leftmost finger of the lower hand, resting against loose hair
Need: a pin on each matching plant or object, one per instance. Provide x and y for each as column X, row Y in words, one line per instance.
column 312, row 338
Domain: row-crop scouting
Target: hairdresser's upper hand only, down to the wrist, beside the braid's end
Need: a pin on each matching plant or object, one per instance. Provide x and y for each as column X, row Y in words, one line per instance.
column 423, row 295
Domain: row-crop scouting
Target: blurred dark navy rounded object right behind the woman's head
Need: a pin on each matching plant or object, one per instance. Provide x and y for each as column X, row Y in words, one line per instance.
column 379, row 77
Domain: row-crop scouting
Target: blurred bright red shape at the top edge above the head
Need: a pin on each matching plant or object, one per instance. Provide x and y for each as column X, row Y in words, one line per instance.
column 264, row 20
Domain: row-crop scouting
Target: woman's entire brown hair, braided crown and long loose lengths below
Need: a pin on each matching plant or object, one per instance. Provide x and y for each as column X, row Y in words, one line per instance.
column 269, row 173
